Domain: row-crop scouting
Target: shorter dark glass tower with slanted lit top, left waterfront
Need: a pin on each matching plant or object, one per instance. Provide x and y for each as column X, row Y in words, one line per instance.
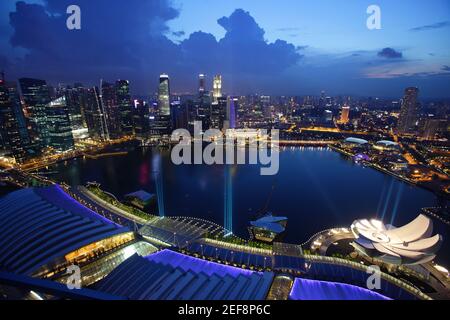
column 58, row 123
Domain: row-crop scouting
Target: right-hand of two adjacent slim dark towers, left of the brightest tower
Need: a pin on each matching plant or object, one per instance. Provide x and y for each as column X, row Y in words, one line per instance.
column 125, row 106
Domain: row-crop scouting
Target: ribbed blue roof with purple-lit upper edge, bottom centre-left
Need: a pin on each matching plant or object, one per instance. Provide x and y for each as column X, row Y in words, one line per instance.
column 173, row 276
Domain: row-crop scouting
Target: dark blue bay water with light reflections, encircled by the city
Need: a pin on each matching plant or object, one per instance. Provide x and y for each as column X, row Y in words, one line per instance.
column 315, row 188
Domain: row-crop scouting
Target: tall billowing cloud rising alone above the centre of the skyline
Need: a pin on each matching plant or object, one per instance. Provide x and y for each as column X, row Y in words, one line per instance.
column 246, row 60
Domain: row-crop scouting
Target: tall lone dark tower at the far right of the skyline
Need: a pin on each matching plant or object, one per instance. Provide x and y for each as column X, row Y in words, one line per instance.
column 409, row 112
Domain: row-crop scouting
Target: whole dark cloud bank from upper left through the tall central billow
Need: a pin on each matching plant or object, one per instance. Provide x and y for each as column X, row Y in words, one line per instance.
column 127, row 39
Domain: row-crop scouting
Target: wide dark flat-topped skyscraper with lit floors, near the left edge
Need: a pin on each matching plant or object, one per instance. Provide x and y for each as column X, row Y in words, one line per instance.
column 36, row 95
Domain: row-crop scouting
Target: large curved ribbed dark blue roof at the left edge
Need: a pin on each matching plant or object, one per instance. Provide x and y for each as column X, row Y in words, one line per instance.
column 39, row 225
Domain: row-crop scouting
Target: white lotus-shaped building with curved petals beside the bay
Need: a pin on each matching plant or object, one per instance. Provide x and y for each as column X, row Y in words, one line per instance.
column 410, row 244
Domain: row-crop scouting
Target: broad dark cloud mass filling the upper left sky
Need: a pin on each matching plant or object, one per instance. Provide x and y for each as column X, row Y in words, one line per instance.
column 103, row 48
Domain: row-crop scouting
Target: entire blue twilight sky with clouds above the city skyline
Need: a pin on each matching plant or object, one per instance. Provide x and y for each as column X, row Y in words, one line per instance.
column 283, row 47
